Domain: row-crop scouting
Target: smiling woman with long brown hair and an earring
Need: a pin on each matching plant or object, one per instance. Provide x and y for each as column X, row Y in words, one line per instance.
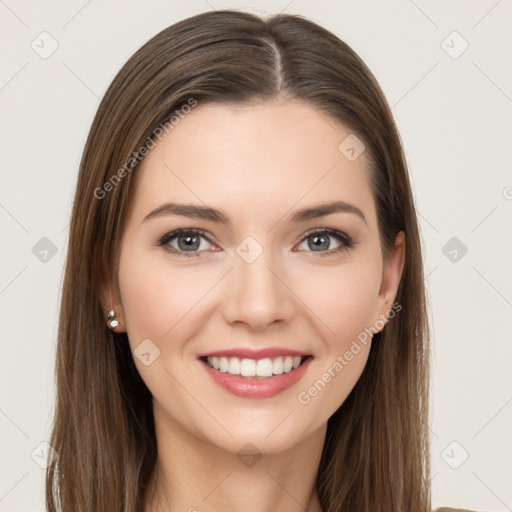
column 243, row 322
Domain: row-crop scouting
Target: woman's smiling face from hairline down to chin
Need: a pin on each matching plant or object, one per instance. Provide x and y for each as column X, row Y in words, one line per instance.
column 257, row 272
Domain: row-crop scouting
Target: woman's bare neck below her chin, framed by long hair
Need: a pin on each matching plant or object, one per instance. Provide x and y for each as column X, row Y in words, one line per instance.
column 193, row 475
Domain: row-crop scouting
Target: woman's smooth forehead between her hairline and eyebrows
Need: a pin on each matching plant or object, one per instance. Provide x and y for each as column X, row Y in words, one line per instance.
column 252, row 159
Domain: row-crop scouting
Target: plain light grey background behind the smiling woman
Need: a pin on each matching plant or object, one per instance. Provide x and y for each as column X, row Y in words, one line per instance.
column 454, row 115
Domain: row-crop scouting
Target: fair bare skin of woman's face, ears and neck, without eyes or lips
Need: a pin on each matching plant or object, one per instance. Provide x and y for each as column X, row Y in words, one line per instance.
column 257, row 163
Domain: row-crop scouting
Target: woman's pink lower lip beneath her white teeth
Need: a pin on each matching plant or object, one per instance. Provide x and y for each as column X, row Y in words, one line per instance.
column 247, row 387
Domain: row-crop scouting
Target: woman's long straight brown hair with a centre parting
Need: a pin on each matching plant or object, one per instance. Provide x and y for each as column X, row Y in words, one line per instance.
column 376, row 453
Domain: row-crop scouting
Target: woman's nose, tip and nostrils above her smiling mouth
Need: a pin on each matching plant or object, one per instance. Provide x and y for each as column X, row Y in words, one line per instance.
column 257, row 294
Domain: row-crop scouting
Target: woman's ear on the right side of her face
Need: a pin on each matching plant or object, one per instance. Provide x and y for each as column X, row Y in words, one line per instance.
column 391, row 276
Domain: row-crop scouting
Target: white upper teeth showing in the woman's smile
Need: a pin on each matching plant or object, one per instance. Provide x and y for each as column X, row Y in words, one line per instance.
column 252, row 368
